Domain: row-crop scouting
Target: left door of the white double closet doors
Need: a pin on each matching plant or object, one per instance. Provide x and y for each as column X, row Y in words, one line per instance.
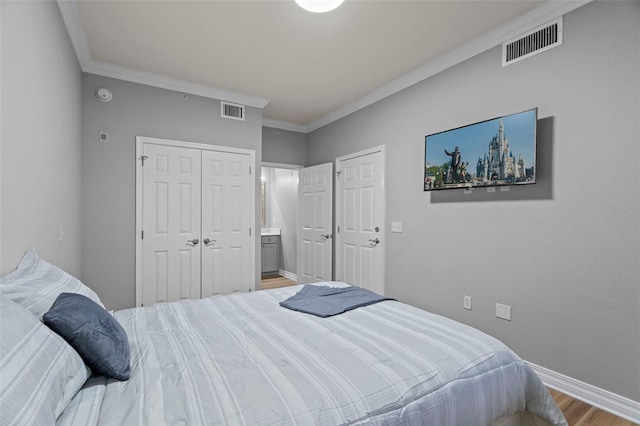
column 171, row 224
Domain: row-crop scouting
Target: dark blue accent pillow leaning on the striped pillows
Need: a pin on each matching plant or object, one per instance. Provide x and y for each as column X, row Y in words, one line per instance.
column 97, row 337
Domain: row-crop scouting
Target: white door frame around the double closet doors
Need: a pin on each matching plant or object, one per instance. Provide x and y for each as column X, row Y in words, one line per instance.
column 140, row 142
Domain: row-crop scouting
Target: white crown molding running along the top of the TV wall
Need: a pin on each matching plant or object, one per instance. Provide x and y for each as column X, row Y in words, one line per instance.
column 532, row 19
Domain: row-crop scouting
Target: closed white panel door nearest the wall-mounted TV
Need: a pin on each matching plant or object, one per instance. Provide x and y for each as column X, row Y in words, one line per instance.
column 360, row 219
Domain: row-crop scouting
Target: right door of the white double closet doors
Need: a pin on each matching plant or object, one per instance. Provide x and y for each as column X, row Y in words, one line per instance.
column 226, row 223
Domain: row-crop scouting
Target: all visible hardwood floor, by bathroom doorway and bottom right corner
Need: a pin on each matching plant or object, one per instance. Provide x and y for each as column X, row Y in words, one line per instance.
column 576, row 412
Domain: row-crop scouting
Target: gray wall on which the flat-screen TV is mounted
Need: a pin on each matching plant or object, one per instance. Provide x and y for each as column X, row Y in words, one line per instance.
column 563, row 253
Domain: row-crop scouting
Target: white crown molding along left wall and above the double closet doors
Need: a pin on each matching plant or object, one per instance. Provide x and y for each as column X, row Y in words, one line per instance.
column 71, row 19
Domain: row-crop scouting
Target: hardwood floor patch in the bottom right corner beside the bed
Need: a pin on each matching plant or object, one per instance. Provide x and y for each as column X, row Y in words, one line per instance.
column 580, row 413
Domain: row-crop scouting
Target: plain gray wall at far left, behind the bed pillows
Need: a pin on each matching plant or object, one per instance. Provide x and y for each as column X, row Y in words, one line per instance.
column 41, row 122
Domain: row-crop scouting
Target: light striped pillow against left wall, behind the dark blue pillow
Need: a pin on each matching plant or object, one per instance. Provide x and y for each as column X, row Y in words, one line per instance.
column 36, row 284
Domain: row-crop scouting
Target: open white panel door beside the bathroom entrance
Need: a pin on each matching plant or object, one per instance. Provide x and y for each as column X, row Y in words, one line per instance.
column 315, row 224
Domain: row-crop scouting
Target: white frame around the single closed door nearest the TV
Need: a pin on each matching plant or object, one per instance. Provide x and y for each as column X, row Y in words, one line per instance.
column 338, row 209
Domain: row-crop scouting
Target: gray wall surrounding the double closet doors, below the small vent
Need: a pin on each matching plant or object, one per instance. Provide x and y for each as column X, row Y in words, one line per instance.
column 108, row 174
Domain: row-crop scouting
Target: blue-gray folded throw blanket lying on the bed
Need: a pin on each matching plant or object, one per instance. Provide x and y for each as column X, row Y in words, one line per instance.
column 328, row 301
